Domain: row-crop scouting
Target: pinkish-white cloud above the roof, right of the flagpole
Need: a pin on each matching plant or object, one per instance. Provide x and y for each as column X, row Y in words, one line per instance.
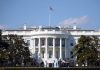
column 77, row 21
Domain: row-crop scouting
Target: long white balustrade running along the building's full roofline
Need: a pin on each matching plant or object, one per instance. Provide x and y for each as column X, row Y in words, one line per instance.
column 51, row 32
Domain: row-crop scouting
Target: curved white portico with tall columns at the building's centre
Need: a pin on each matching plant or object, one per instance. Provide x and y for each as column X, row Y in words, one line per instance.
column 50, row 46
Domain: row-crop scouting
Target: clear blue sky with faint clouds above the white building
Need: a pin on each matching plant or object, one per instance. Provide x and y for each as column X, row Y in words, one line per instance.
column 83, row 13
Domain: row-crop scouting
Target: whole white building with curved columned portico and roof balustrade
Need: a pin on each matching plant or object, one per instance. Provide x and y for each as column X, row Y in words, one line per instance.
column 51, row 44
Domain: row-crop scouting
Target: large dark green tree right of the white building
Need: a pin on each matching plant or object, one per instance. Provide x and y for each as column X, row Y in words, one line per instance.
column 87, row 50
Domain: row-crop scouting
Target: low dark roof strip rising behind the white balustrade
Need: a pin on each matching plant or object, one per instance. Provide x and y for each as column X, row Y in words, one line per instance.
column 49, row 28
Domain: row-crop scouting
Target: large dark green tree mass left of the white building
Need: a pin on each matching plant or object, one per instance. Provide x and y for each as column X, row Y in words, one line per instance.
column 13, row 51
